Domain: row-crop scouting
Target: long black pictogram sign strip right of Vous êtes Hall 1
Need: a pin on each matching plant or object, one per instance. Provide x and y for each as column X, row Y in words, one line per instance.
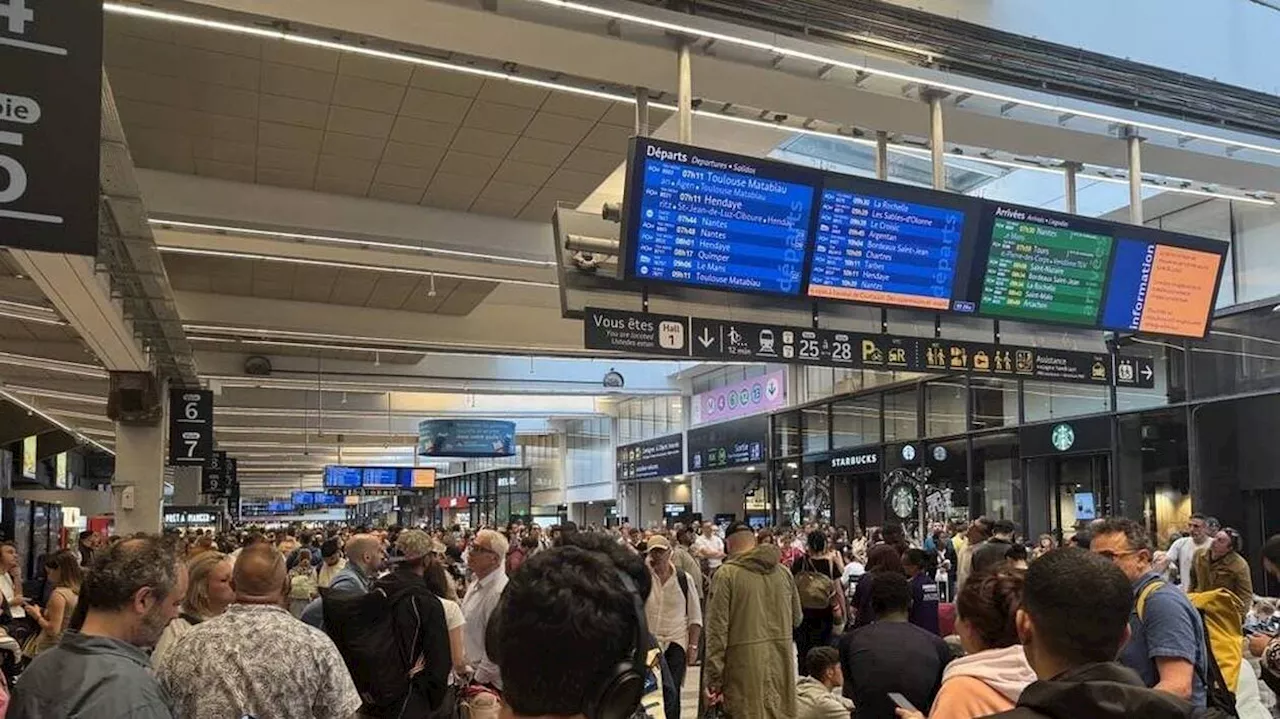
column 749, row 342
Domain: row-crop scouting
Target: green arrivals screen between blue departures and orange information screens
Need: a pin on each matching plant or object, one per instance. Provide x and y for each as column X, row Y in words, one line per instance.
column 1040, row 269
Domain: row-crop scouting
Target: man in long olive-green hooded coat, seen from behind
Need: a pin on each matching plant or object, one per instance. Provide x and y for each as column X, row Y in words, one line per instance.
column 752, row 611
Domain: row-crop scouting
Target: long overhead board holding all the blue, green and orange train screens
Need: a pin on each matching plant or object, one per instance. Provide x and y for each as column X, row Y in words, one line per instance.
column 711, row 221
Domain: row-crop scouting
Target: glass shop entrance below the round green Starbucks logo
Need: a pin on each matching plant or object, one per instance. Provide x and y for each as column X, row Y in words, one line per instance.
column 1067, row 493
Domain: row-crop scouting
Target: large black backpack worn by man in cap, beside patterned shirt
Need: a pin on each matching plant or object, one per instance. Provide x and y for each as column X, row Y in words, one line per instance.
column 363, row 626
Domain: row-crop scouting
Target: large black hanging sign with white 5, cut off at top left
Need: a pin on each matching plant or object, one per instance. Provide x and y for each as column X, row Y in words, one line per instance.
column 51, row 127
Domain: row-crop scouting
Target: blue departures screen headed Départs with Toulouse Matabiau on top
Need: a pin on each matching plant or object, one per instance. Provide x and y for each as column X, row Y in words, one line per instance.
column 719, row 222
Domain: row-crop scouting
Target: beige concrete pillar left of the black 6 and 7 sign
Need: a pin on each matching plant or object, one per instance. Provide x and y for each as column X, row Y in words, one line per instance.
column 140, row 461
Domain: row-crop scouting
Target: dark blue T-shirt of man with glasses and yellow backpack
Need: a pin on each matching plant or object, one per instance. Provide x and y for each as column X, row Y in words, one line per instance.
column 1171, row 628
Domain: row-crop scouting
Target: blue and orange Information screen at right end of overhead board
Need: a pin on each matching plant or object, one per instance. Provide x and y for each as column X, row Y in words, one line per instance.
column 1162, row 288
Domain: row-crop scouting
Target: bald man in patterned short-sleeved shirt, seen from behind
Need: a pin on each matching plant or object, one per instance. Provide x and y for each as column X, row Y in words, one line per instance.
column 257, row 660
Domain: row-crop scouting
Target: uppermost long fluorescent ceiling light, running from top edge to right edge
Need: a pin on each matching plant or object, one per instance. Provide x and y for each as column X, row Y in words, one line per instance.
column 903, row 77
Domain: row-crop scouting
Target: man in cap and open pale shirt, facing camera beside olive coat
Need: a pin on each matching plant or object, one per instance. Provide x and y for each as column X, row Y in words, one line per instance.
column 674, row 611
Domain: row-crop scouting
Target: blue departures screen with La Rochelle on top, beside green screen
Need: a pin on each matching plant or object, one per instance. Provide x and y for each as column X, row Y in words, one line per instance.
column 885, row 251
